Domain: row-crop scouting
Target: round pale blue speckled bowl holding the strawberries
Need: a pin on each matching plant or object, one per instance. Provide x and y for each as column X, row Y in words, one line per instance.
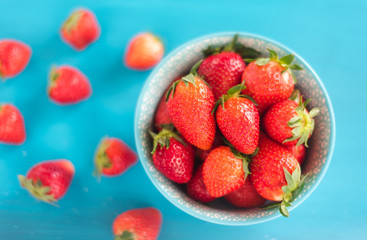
column 179, row 62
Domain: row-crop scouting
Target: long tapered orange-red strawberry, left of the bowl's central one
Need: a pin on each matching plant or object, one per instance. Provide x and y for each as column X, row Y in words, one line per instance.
column 190, row 102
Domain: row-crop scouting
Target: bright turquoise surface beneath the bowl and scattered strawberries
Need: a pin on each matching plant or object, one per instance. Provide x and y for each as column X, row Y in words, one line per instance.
column 331, row 36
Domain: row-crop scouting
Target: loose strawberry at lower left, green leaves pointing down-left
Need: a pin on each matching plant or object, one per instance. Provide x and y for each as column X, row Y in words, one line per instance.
column 49, row 180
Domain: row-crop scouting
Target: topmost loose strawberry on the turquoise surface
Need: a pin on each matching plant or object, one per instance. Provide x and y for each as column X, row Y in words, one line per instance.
column 80, row 29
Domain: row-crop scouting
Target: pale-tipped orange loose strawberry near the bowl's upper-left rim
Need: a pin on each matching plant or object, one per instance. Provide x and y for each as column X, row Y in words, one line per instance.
column 144, row 51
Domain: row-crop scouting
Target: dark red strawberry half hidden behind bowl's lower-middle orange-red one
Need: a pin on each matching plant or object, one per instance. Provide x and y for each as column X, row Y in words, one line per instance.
column 196, row 187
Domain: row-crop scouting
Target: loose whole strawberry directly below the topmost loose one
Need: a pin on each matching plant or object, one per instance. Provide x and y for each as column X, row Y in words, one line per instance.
column 68, row 85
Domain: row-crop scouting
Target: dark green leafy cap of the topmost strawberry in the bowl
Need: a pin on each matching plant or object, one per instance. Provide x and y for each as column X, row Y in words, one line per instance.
column 233, row 46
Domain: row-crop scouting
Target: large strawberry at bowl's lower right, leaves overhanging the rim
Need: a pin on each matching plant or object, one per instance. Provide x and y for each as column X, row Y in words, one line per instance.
column 275, row 173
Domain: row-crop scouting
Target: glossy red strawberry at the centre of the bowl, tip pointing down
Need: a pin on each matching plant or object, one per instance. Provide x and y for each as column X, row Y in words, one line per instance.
column 238, row 120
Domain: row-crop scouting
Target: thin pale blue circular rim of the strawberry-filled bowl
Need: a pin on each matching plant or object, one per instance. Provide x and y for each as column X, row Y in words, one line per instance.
column 215, row 220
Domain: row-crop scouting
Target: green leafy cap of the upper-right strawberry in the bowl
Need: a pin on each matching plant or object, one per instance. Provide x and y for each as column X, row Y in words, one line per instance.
column 285, row 62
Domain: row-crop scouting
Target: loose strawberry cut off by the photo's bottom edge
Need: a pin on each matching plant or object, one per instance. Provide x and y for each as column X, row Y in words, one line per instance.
column 138, row 224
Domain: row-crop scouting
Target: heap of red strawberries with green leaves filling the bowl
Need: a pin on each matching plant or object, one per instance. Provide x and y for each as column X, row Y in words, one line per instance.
column 235, row 127
